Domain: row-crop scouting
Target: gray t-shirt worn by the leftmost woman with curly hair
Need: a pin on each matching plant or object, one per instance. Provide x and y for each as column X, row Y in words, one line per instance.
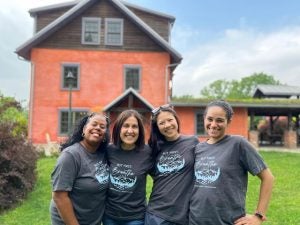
column 85, row 176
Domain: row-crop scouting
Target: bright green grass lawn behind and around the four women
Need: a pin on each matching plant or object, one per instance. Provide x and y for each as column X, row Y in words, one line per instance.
column 284, row 208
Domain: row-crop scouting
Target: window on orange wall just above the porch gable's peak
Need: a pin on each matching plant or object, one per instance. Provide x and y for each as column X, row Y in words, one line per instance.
column 132, row 77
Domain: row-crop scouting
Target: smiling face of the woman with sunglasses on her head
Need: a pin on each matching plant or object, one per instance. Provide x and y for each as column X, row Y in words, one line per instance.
column 167, row 125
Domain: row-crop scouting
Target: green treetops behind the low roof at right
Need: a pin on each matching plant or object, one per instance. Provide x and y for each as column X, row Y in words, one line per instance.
column 224, row 89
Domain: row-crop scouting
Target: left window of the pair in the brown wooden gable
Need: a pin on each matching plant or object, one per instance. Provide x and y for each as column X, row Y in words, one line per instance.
column 91, row 31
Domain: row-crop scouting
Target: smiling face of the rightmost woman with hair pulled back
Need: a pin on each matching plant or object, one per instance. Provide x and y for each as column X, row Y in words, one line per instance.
column 215, row 123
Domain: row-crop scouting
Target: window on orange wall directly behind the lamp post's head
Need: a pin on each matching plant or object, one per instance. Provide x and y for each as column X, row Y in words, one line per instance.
column 74, row 70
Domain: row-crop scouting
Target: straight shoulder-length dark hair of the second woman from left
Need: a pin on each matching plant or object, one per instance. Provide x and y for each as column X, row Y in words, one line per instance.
column 140, row 142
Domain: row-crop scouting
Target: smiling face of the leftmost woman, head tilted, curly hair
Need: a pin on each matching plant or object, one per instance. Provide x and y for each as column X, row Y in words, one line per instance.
column 94, row 131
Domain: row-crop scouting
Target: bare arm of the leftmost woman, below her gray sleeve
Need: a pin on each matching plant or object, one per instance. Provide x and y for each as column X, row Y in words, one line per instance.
column 65, row 207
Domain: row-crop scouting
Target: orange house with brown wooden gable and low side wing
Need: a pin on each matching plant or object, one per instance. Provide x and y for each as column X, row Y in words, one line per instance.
column 109, row 55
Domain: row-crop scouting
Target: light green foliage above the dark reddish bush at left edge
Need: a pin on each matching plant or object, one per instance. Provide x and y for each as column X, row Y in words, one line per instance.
column 12, row 112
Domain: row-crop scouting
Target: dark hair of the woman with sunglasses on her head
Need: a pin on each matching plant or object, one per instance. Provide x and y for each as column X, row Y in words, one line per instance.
column 155, row 135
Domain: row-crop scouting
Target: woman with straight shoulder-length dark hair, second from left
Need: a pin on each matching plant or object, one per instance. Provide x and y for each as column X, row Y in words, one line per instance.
column 130, row 161
